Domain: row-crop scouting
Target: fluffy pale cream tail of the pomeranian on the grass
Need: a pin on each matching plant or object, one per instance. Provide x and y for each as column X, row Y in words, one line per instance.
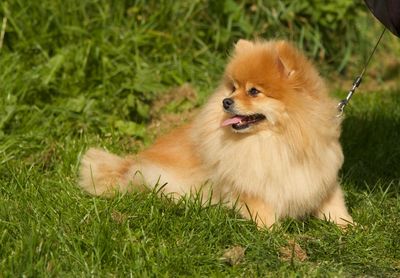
column 102, row 173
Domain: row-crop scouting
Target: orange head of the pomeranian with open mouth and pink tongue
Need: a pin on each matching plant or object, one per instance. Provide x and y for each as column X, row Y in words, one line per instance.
column 262, row 83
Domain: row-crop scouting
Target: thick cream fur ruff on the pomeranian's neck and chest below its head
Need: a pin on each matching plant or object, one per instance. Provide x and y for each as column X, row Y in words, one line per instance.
column 270, row 166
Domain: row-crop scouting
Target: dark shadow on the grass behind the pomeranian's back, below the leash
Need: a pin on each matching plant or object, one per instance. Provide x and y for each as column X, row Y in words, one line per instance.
column 371, row 141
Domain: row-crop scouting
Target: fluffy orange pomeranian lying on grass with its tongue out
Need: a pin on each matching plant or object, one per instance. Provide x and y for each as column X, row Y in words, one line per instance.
column 266, row 141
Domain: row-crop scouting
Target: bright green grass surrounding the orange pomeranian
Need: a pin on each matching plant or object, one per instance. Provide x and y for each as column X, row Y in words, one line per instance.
column 75, row 74
